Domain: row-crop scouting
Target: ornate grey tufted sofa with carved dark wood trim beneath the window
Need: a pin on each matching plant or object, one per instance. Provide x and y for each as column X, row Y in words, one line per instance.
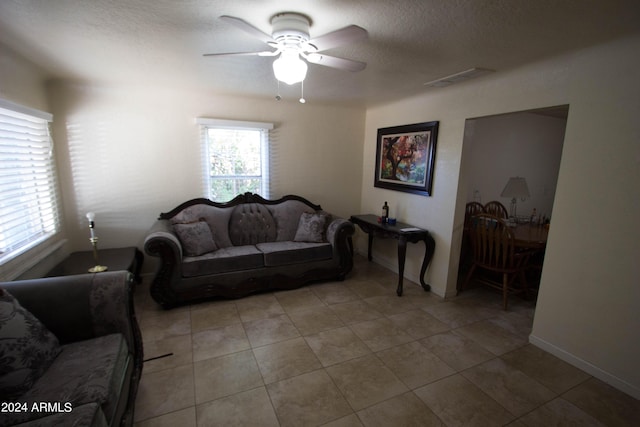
column 249, row 244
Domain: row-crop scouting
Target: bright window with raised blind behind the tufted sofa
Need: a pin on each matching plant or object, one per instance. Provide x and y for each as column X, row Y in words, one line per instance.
column 236, row 158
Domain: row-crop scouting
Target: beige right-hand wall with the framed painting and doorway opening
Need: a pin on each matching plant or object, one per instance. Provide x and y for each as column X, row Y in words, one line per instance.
column 589, row 300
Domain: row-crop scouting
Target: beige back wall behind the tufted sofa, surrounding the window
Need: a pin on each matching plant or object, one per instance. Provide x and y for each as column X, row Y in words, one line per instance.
column 128, row 154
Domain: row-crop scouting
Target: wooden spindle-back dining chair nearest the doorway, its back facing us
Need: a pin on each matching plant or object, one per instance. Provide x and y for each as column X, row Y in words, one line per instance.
column 493, row 249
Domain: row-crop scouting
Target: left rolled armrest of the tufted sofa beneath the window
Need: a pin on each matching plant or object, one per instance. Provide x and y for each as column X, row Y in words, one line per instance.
column 162, row 242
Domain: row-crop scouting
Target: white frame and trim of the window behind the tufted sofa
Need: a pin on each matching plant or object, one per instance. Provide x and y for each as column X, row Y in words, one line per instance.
column 263, row 128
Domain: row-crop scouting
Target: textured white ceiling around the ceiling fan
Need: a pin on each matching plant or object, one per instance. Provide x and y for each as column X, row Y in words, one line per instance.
column 161, row 42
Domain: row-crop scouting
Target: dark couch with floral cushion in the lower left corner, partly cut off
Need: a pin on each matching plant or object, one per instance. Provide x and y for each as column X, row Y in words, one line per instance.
column 70, row 351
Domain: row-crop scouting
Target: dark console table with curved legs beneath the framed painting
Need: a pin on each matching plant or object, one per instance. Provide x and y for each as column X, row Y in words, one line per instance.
column 403, row 233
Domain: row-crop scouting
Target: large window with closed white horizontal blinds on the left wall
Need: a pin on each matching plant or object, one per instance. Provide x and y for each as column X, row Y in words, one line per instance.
column 28, row 182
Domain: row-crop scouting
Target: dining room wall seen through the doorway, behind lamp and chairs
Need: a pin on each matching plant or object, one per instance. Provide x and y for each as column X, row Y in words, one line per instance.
column 526, row 144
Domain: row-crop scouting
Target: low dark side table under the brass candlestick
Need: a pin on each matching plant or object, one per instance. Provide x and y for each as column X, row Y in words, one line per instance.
column 115, row 259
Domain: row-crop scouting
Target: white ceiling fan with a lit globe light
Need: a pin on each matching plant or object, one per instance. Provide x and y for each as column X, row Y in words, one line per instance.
column 291, row 41
